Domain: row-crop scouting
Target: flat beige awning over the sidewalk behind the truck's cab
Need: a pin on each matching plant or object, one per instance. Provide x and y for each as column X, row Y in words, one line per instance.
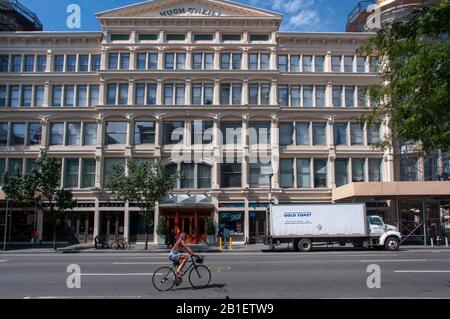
column 391, row 190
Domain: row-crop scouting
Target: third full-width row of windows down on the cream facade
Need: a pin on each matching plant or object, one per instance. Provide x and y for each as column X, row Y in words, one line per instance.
column 201, row 132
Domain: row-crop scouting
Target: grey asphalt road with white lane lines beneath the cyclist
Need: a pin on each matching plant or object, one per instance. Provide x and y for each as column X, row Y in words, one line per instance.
column 418, row 273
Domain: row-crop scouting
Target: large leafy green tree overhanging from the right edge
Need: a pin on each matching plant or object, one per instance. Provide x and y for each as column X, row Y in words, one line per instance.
column 415, row 67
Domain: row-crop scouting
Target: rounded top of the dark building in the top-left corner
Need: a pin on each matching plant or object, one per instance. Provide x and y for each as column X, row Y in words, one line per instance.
column 16, row 17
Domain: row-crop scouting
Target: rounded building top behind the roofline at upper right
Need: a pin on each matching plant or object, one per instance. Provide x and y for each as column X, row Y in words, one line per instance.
column 369, row 15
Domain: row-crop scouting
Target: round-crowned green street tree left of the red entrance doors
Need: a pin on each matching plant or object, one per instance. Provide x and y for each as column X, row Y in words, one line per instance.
column 145, row 184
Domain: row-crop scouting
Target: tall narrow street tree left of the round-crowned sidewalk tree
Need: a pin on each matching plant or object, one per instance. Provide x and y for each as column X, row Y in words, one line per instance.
column 48, row 176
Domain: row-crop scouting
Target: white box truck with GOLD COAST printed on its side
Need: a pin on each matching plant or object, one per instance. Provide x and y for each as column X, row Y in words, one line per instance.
column 308, row 225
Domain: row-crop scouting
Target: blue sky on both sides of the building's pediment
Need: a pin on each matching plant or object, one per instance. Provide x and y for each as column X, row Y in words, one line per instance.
column 299, row 15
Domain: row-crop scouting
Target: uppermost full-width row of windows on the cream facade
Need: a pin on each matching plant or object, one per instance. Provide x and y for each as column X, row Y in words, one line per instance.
column 178, row 61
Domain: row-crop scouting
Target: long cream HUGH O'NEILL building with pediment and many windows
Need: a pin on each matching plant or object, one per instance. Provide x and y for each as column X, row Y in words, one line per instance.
column 199, row 68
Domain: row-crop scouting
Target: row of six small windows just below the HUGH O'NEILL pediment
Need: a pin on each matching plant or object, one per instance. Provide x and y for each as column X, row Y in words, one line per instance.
column 196, row 37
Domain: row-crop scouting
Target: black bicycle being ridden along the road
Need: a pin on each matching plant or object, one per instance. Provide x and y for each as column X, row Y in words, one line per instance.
column 165, row 278
